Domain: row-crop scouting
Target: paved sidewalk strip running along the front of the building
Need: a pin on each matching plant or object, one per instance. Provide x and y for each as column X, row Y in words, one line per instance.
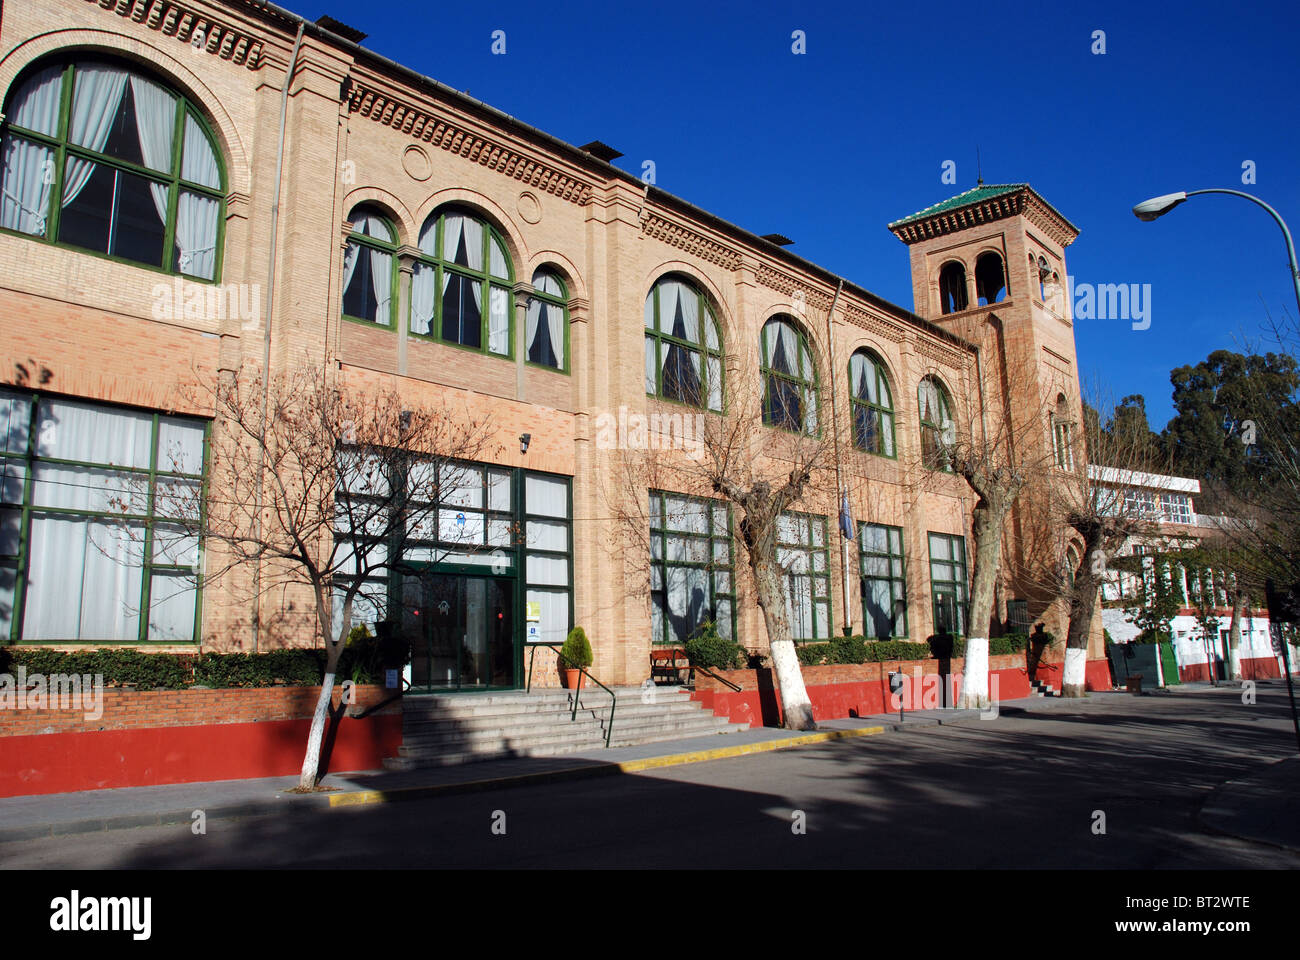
column 27, row 818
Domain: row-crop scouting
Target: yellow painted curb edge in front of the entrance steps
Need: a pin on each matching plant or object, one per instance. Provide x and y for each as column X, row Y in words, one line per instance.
column 383, row 797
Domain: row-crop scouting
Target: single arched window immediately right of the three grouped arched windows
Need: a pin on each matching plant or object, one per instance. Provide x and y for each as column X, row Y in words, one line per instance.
column 684, row 360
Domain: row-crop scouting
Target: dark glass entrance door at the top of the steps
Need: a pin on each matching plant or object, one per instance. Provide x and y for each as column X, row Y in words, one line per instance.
column 462, row 632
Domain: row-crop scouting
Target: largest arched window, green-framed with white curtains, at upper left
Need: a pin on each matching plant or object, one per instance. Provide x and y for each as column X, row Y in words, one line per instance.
column 101, row 157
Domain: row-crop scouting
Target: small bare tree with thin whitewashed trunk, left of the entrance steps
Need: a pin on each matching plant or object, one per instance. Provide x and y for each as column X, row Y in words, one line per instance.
column 327, row 487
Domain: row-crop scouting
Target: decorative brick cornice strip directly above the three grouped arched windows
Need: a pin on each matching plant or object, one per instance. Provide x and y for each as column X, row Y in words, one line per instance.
column 457, row 139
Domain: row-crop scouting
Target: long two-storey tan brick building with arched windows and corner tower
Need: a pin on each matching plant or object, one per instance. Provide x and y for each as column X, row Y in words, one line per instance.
column 424, row 241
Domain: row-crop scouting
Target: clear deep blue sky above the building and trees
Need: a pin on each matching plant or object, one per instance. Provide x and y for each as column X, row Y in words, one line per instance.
column 830, row 146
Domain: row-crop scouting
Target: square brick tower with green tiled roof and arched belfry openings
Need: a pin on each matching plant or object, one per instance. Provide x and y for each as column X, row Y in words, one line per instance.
column 989, row 266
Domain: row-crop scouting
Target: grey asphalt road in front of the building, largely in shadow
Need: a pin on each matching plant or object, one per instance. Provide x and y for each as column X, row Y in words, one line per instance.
column 1022, row 792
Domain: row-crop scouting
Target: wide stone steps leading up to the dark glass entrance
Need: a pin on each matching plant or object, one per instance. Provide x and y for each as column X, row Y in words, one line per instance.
column 465, row 728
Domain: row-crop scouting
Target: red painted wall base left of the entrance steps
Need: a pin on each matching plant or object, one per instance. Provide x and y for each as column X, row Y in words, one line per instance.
column 66, row 763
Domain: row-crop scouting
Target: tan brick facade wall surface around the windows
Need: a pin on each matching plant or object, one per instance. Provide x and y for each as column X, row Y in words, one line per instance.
column 362, row 131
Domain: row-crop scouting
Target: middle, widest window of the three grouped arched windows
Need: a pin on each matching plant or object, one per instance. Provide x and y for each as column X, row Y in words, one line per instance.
column 461, row 289
